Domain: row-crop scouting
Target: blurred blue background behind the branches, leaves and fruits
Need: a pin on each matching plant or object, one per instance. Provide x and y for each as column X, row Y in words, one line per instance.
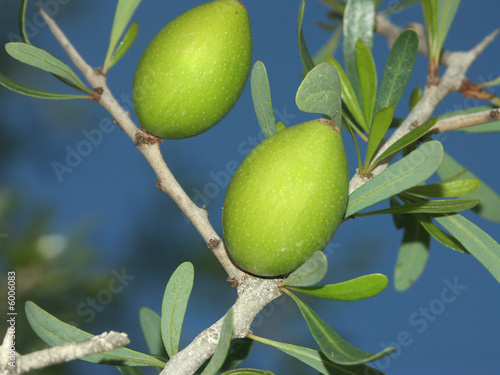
column 139, row 228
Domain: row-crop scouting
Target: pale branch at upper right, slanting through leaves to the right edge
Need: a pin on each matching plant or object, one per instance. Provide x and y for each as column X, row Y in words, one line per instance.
column 457, row 65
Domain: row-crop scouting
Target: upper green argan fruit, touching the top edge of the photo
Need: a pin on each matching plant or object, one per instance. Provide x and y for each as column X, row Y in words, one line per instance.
column 193, row 72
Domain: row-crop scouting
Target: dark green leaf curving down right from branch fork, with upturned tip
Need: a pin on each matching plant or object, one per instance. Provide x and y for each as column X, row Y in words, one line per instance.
column 333, row 346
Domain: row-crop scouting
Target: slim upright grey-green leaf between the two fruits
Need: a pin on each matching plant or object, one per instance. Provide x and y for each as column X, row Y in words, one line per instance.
column 261, row 96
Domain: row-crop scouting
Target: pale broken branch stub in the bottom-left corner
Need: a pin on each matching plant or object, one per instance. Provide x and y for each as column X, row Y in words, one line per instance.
column 59, row 354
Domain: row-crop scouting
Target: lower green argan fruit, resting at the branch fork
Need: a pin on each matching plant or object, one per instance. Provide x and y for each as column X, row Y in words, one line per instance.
column 287, row 199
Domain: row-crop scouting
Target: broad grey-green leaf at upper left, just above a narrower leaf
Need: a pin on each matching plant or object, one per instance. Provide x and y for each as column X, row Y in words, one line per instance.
column 43, row 60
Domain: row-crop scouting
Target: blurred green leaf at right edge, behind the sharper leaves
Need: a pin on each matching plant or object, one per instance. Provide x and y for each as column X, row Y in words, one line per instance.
column 489, row 207
